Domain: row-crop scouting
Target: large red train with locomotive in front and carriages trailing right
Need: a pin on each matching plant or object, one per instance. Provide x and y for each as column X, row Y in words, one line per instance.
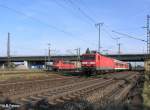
column 96, row 62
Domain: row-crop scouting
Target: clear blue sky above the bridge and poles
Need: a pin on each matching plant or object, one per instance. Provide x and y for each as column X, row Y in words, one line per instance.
column 70, row 24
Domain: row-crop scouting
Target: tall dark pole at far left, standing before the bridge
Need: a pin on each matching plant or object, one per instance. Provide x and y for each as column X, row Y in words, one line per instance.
column 8, row 51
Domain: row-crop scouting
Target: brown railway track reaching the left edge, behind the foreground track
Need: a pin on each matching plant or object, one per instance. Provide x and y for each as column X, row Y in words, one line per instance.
column 11, row 89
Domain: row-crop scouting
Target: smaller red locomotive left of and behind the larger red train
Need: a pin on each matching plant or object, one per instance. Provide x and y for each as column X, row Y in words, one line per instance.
column 63, row 65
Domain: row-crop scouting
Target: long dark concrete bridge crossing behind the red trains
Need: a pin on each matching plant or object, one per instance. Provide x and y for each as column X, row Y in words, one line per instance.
column 31, row 61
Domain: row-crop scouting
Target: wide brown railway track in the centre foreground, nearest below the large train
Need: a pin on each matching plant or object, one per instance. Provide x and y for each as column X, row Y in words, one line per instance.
column 59, row 94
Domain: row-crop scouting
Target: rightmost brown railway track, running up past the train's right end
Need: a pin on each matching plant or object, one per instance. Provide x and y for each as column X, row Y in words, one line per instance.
column 120, row 94
